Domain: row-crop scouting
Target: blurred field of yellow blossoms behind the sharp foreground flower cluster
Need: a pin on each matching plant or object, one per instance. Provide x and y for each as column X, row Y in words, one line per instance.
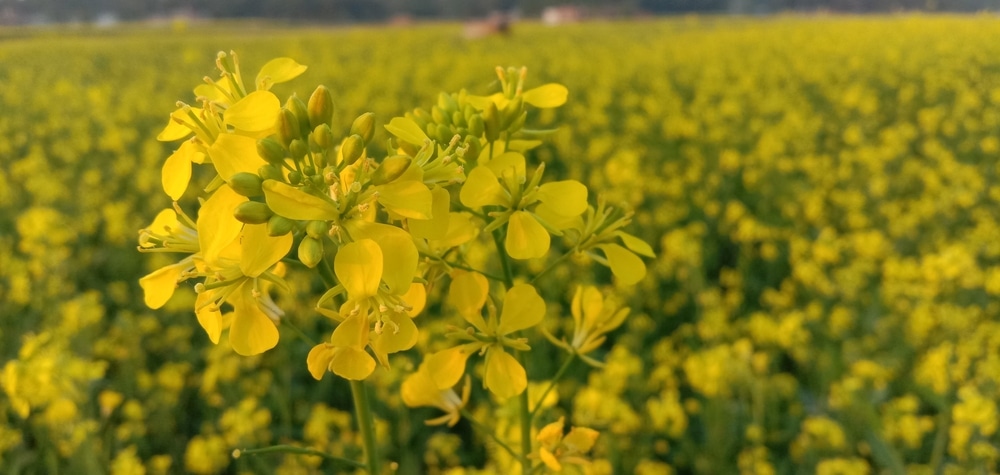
column 822, row 195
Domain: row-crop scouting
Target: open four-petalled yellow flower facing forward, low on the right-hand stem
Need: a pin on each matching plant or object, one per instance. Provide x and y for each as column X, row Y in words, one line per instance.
column 523, row 308
